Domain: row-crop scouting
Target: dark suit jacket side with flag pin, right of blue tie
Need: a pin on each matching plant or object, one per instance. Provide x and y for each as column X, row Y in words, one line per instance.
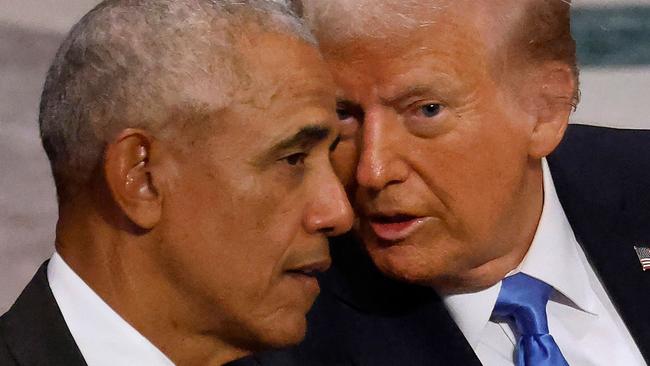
column 603, row 190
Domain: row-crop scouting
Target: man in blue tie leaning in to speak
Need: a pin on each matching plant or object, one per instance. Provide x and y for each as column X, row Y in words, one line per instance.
column 519, row 236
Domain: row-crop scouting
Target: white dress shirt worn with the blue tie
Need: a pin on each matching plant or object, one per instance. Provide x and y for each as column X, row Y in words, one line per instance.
column 581, row 317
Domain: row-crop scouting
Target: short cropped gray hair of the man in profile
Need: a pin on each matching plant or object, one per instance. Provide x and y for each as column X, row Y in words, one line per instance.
column 132, row 63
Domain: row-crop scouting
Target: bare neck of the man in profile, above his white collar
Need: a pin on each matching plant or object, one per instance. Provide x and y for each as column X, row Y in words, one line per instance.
column 117, row 266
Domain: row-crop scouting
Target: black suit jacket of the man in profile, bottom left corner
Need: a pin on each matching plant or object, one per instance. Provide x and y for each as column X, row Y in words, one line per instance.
column 34, row 328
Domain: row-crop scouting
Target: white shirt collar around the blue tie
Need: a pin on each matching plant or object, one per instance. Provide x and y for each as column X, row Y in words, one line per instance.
column 552, row 258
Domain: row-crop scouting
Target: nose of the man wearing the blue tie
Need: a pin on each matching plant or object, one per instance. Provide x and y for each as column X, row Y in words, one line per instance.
column 379, row 163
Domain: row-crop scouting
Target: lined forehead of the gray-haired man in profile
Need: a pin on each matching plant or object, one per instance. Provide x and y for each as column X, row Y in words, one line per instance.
column 275, row 81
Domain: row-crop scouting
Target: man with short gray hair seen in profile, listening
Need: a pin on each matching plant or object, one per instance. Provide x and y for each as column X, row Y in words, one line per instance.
column 190, row 145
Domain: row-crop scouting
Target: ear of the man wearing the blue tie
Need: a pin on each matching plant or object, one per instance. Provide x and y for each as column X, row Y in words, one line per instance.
column 554, row 91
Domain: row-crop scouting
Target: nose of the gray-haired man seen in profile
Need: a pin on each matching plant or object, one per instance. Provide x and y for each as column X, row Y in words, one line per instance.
column 330, row 211
